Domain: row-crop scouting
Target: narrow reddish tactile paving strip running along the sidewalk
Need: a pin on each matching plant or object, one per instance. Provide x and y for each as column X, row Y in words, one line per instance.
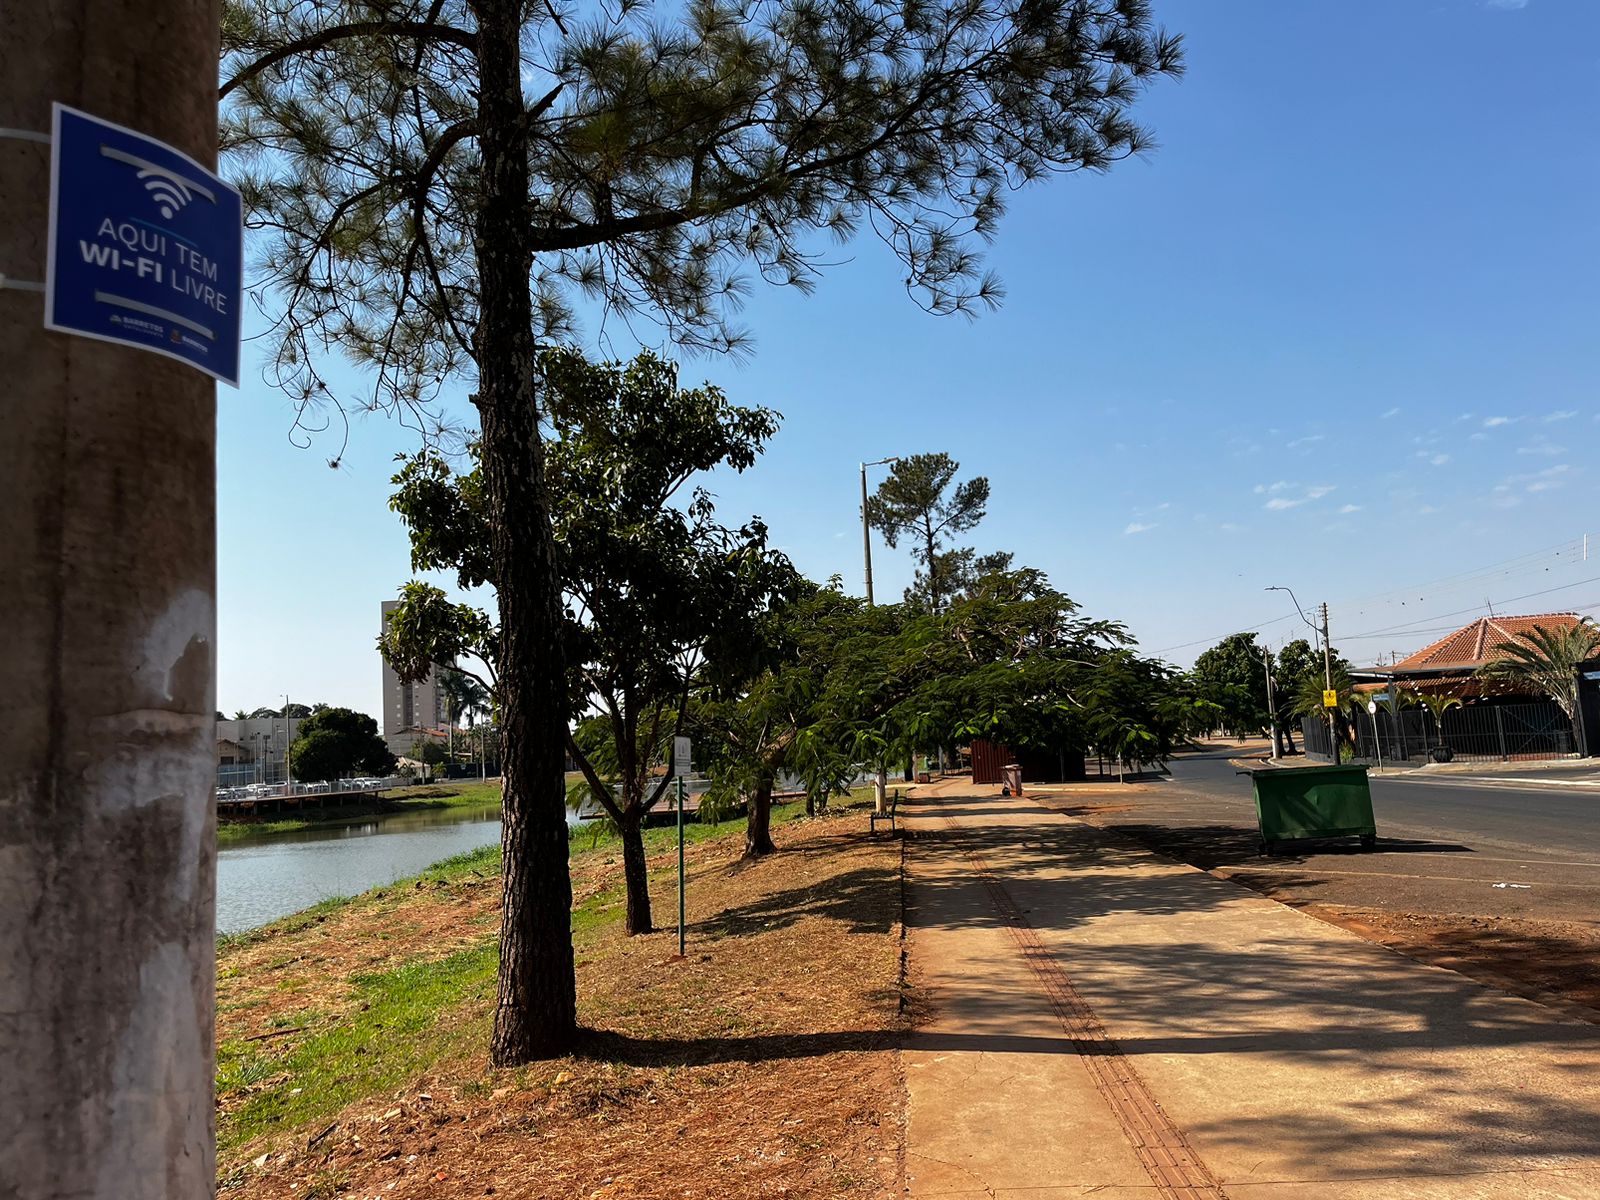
column 1169, row 1161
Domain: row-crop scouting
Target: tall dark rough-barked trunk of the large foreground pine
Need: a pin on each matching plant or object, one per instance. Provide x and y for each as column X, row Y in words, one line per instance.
column 537, row 1012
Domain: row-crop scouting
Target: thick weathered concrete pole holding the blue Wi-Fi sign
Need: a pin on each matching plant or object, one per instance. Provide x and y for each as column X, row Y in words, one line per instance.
column 108, row 510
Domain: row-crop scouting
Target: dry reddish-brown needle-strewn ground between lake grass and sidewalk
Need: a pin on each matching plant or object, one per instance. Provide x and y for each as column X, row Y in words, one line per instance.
column 761, row 1066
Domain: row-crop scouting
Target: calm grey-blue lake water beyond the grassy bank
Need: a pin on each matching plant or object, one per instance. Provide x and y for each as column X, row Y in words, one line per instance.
column 262, row 881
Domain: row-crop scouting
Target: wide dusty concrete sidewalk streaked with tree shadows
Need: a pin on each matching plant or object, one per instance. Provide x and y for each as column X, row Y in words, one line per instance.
column 1111, row 1023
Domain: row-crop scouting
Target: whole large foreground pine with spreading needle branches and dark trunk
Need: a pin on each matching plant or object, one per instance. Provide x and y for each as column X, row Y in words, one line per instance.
column 436, row 178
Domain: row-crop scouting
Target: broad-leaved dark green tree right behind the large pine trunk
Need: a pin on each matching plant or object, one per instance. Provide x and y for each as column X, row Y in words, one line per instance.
column 655, row 586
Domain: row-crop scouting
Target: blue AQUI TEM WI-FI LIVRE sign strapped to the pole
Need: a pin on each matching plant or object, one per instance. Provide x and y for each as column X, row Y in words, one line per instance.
column 146, row 246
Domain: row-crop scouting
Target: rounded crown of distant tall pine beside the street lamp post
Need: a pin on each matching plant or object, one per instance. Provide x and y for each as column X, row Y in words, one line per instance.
column 919, row 505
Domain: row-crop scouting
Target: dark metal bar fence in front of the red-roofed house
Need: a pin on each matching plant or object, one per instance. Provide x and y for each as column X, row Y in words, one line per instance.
column 1478, row 734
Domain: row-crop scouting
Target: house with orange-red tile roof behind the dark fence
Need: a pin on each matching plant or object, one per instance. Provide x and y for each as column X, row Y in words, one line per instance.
column 1450, row 668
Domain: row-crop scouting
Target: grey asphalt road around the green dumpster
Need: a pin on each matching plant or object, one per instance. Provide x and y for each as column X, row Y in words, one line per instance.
column 1446, row 842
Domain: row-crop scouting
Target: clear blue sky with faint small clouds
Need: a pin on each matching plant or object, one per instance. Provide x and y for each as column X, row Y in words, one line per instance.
column 1337, row 334
